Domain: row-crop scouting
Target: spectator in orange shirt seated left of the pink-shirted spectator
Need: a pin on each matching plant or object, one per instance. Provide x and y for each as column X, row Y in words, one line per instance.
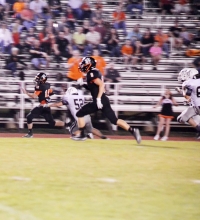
column 127, row 51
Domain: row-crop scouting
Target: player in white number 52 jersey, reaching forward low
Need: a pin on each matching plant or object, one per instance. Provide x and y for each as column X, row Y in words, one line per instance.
column 74, row 100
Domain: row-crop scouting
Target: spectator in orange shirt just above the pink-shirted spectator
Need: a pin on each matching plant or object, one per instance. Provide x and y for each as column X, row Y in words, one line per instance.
column 162, row 40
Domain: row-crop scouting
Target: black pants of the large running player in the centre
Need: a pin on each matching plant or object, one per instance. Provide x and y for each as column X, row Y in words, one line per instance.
column 106, row 110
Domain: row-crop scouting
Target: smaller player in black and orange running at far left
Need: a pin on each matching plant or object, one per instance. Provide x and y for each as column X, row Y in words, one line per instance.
column 43, row 93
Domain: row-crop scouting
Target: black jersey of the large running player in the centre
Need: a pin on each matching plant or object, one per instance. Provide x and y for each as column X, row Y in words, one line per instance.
column 91, row 76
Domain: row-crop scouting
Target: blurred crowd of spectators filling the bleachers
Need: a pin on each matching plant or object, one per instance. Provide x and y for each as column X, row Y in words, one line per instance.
column 76, row 30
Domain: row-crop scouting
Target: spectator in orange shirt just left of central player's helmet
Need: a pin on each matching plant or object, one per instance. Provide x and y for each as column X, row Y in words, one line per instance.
column 73, row 64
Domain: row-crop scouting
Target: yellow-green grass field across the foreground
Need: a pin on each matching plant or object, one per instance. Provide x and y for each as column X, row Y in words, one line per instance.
column 60, row 179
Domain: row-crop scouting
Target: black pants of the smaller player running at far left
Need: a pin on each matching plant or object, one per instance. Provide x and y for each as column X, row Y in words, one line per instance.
column 41, row 111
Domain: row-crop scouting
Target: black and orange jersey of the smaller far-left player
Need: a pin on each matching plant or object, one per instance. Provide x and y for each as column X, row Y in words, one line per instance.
column 43, row 91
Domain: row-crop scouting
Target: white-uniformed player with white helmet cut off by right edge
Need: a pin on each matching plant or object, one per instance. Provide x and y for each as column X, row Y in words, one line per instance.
column 190, row 79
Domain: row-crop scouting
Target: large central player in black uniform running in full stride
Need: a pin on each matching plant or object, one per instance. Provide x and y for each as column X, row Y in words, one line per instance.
column 100, row 101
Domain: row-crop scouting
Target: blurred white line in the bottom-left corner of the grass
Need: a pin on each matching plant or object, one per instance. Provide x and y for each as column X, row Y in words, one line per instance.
column 18, row 214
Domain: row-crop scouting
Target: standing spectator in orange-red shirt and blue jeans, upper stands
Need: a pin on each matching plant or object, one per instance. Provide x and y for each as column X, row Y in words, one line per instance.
column 119, row 19
